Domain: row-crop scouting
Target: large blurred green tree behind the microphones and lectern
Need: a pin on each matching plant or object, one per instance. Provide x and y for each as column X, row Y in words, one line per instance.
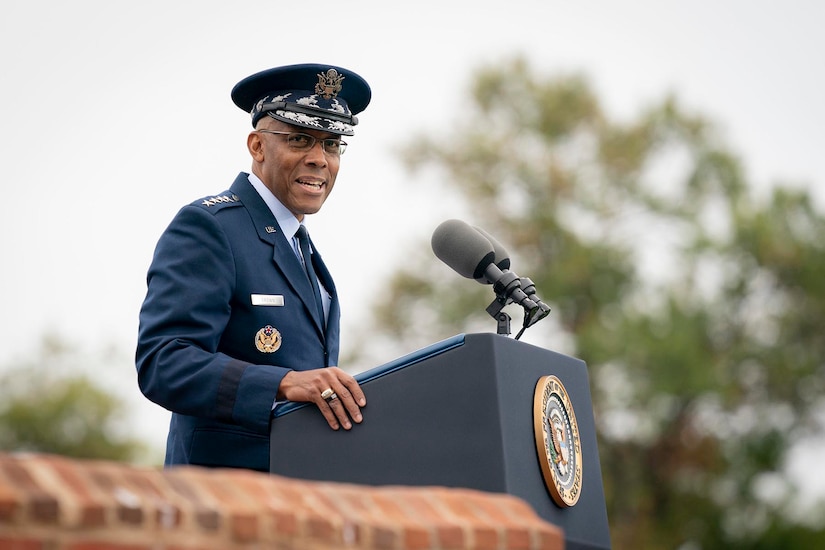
column 698, row 306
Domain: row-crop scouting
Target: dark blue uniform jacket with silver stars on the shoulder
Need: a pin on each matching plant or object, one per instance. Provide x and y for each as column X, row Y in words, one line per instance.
column 197, row 353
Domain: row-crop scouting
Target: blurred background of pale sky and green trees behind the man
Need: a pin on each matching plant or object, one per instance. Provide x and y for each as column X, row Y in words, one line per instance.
column 654, row 166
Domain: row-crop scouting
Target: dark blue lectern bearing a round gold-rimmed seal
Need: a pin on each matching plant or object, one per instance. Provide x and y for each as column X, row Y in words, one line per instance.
column 480, row 411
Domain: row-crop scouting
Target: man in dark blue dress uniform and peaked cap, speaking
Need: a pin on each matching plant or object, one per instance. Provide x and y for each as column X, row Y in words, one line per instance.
column 240, row 310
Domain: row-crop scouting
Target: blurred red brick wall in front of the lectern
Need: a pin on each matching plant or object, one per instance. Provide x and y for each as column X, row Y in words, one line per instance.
column 54, row 503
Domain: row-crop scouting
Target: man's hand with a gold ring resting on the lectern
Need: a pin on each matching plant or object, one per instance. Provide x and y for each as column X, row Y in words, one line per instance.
column 308, row 386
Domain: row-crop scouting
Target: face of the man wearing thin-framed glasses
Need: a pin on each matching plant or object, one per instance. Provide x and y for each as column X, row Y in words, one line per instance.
column 301, row 179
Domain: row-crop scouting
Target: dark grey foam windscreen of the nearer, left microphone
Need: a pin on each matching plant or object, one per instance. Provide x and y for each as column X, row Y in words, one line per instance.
column 462, row 248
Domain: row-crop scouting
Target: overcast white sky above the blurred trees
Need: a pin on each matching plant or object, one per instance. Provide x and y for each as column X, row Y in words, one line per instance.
column 114, row 114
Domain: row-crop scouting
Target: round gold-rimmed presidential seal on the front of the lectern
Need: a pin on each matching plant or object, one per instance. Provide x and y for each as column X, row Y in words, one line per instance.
column 557, row 441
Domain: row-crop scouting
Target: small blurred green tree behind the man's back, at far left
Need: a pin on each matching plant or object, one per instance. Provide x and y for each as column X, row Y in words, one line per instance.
column 50, row 406
